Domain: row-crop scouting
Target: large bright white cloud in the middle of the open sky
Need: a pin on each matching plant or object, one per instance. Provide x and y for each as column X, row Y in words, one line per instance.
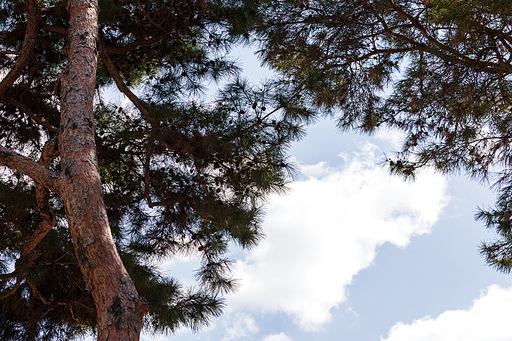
column 326, row 230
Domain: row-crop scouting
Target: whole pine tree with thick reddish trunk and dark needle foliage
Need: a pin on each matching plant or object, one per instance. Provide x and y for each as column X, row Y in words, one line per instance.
column 93, row 193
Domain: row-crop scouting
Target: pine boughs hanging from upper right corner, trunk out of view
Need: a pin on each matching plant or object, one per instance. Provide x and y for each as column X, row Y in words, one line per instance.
column 448, row 64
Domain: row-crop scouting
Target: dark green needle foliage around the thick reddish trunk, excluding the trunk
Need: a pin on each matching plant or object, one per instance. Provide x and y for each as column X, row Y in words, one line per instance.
column 180, row 175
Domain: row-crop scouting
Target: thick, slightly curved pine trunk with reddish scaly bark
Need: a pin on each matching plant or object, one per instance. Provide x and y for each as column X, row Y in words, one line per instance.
column 119, row 307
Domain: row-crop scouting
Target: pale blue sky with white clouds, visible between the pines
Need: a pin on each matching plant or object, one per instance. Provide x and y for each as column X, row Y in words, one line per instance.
column 353, row 253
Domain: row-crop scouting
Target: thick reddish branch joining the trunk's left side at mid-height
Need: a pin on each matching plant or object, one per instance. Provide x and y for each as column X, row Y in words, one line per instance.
column 29, row 167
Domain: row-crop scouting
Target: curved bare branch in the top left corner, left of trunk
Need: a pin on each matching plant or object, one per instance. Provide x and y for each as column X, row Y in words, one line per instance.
column 26, row 49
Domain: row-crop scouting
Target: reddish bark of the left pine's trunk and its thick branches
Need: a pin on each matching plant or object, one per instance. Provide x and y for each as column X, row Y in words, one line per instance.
column 120, row 309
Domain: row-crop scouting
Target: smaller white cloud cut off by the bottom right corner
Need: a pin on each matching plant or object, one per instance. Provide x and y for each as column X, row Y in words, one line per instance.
column 488, row 319
